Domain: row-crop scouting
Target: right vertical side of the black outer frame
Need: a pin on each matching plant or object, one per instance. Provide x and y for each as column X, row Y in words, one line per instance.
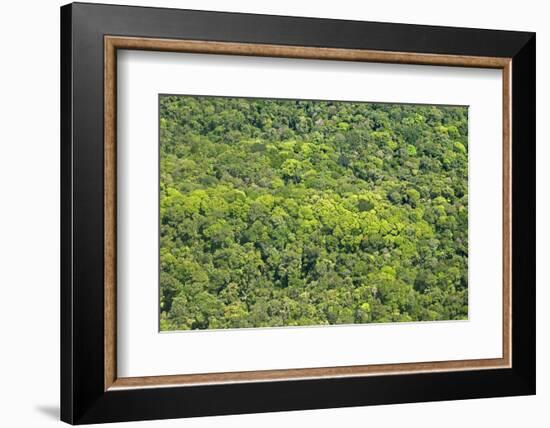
column 524, row 214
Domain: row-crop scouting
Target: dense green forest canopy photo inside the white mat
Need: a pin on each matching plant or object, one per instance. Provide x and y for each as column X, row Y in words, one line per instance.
column 289, row 213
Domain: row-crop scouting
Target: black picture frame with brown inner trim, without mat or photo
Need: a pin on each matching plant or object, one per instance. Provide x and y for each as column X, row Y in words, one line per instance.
column 91, row 391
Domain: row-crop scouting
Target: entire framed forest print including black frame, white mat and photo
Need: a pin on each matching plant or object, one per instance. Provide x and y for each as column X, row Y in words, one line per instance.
column 265, row 213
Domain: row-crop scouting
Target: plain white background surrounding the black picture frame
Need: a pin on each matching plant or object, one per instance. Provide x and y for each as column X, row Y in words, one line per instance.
column 29, row 215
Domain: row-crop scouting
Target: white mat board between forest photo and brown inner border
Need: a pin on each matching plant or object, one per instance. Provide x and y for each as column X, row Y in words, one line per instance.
column 142, row 351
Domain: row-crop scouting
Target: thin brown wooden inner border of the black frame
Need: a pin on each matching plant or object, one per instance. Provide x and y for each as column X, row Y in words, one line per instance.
column 112, row 43
